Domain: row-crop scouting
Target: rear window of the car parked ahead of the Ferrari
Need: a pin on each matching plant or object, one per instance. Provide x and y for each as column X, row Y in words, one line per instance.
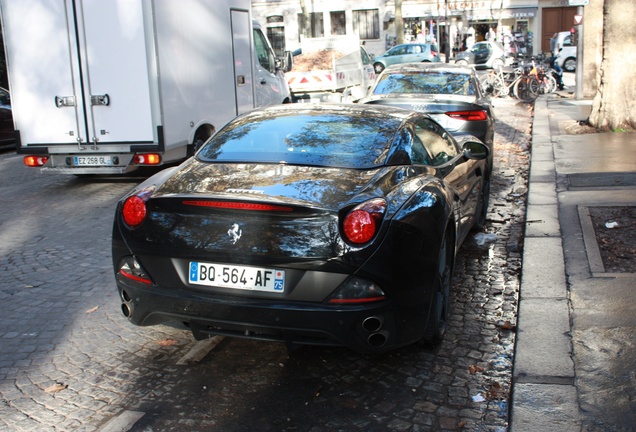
column 425, row 83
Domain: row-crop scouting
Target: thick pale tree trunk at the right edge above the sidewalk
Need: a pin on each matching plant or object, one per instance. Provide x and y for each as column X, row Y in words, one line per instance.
column 614, row 105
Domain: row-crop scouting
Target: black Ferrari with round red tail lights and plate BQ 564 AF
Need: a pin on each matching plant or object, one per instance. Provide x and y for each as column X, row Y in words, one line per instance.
column 329, row 225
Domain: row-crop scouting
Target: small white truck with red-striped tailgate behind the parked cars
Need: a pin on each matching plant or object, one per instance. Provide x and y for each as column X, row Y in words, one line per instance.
column 331, row 69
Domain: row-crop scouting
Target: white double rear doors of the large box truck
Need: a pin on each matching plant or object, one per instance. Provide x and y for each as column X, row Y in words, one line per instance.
column 78, row 72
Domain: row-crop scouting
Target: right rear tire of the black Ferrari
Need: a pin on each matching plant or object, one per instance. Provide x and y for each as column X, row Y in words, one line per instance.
column 439, row 312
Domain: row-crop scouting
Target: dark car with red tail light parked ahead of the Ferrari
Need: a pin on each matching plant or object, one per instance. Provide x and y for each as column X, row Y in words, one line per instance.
column 450, row 94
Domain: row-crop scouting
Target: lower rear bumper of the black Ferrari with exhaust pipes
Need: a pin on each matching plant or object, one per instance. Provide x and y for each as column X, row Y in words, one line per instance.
column 368, row 328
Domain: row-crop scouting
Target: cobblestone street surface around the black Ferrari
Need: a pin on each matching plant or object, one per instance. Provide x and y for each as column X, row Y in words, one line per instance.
column 70, row 361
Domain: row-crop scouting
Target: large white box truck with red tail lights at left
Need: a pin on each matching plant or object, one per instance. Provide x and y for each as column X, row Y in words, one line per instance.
column 107, row 86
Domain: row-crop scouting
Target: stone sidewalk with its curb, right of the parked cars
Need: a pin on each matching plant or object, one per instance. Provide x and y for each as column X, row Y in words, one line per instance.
column 574, row 367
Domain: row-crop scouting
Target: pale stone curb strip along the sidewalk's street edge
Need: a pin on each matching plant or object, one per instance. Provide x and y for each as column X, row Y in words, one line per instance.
column 544, row 396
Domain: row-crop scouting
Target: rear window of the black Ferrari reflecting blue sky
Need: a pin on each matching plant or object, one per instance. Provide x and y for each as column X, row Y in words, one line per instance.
column 329, row 140
